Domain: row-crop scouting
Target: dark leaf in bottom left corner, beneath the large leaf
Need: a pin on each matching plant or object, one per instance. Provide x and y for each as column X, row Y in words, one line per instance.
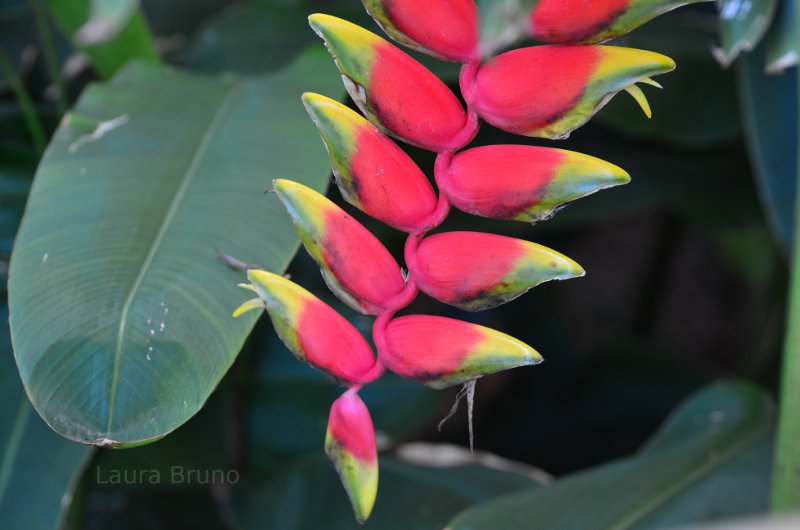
column 38, row 469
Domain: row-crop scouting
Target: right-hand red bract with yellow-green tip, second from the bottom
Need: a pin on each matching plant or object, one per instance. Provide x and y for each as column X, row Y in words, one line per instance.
column 475, row 271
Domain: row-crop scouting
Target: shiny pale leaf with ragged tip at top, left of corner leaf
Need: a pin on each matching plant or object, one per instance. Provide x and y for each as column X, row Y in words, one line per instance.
column 742, row 26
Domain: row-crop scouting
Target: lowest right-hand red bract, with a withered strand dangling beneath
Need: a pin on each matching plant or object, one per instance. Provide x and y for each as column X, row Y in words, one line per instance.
column 442, row 352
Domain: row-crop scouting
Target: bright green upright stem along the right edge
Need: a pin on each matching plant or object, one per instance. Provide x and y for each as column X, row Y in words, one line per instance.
column 786, row 477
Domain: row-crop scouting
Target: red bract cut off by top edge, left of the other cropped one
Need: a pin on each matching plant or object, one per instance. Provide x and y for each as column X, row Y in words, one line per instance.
column 447, row 29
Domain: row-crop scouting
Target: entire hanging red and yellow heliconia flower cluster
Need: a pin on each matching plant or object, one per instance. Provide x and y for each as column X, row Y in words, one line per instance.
column 543, row 91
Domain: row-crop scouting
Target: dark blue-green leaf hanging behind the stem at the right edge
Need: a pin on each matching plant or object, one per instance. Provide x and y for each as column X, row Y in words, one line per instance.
column 770, row 111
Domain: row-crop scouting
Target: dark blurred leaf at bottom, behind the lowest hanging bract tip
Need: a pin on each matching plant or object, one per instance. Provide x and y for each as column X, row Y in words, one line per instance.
column 309, row 496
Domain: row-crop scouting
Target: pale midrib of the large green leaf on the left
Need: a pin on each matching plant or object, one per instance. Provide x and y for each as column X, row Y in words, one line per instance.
column 186, row 180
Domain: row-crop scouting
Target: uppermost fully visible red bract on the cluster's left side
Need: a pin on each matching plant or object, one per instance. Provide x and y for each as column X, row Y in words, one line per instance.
column 395, row 92
